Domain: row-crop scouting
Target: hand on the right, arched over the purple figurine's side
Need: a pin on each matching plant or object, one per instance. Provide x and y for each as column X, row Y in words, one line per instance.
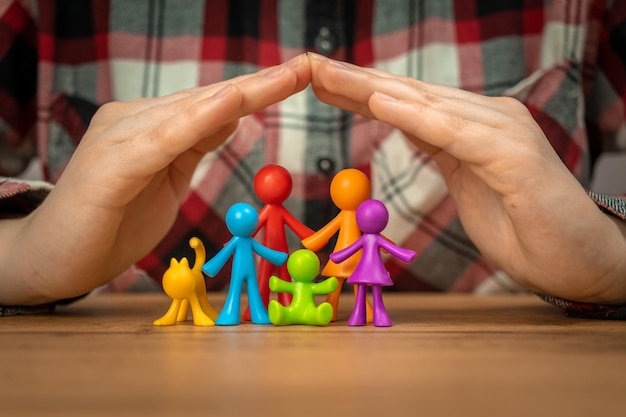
column 517, row 202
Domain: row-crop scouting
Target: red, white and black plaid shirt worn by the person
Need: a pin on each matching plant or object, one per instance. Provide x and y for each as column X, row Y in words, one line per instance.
column 565, row 60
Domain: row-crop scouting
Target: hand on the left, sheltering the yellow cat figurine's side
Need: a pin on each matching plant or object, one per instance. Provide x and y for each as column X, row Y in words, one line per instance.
column 120, row 193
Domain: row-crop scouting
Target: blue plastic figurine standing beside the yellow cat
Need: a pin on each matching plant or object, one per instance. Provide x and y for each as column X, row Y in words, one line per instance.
column 242, row 221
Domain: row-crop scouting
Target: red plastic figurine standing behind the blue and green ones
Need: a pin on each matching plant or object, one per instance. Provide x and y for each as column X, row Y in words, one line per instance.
column 272, row 185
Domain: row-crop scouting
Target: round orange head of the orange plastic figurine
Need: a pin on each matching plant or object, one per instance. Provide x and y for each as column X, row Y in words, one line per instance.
column 349, row 188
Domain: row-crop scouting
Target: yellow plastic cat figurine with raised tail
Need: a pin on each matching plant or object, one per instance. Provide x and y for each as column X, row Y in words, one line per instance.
column 186, row 287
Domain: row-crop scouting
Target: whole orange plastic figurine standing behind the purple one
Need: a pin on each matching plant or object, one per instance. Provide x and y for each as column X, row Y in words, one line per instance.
column 349, row 188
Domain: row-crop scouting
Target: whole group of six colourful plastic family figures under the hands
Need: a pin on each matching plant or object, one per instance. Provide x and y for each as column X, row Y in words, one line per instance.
column 356, row 258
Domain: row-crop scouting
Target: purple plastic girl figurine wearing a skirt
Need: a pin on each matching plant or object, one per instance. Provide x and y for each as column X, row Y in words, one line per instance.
column 372, row 217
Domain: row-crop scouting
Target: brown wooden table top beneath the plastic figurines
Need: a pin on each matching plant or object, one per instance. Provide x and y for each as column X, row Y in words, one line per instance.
column 446, row 355
